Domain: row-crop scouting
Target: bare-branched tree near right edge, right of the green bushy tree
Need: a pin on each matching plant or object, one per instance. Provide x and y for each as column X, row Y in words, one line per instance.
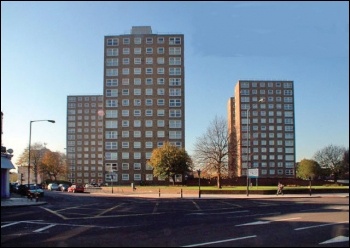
column 331, row 157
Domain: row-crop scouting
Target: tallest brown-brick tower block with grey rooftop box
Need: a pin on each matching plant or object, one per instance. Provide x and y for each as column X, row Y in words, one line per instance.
column 144, row 101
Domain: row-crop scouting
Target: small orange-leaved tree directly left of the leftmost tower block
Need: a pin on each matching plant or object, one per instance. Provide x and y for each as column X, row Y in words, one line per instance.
column 53, row 164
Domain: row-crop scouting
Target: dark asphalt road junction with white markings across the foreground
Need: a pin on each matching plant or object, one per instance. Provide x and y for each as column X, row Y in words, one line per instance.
column 88, row 220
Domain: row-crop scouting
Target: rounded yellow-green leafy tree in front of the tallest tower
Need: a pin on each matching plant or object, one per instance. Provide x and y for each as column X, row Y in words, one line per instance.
column 169, row 160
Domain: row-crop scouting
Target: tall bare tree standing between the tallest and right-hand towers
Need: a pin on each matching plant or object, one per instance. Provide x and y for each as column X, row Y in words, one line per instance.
column 212, row 149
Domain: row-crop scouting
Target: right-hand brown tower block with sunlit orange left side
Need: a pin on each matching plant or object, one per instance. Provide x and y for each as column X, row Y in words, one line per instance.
column 261, row 122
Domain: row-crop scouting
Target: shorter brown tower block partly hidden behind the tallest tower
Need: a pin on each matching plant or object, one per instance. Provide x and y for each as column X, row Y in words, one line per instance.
column 85, row 139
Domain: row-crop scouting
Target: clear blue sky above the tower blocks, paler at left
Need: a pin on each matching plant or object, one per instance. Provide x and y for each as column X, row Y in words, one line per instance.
column 53, row 49
